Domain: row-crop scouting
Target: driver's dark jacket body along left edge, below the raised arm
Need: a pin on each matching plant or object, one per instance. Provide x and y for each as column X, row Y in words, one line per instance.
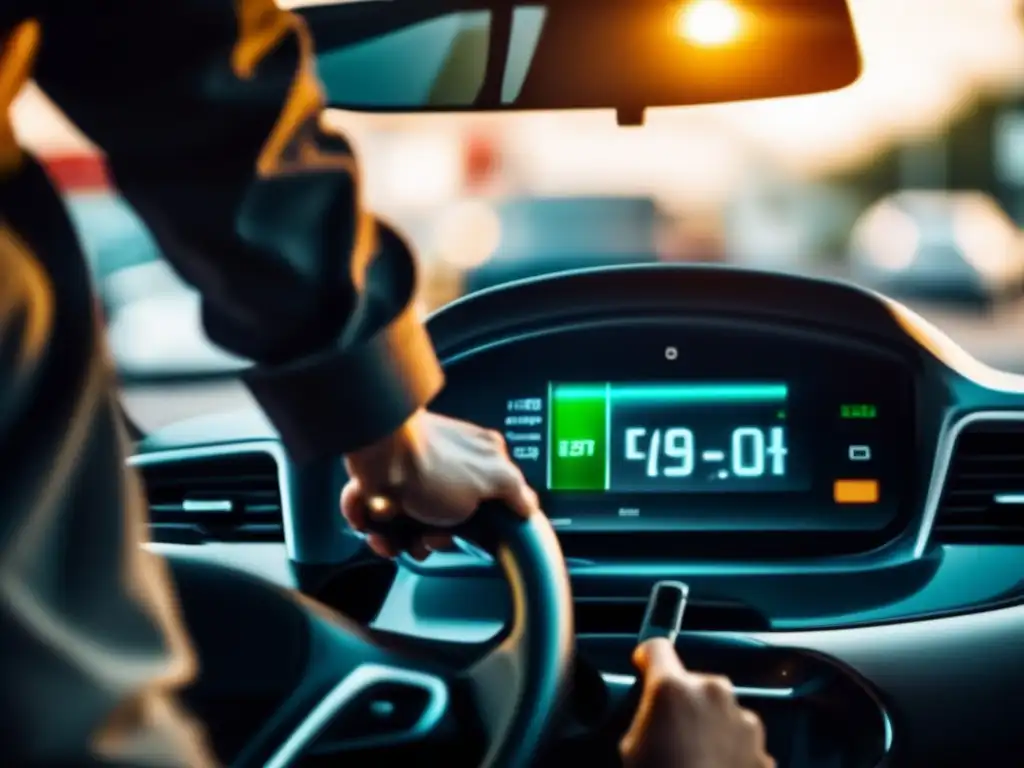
column 93, row 649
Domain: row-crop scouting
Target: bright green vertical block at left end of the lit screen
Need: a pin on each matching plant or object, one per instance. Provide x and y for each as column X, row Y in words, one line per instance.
column 578, row 449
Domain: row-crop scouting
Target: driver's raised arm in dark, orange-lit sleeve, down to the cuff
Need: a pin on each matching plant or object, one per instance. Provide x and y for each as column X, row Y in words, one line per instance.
column 209, row 114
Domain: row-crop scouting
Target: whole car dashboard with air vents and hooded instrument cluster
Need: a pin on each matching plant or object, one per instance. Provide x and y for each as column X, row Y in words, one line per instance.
column 840, row 485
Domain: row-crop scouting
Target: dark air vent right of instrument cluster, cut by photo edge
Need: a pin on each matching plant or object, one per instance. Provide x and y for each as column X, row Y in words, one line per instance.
column 984, row 499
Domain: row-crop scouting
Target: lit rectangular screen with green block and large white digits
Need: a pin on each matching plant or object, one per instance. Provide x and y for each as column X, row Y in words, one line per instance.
column 673, row 438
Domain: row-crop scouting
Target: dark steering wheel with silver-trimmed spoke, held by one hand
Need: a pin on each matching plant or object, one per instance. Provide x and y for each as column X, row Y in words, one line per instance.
column 504, row 701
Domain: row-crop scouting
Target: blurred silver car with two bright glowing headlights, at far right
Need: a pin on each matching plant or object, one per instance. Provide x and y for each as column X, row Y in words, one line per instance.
column 957, row 247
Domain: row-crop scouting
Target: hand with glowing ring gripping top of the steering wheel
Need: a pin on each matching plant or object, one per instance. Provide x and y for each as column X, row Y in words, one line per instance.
column 436, row 471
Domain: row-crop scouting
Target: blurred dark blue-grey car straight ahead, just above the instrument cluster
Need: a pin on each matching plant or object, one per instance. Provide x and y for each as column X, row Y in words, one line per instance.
column 541, row 236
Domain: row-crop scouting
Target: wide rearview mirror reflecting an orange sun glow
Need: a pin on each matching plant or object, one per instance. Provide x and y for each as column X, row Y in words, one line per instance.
column 430, row 56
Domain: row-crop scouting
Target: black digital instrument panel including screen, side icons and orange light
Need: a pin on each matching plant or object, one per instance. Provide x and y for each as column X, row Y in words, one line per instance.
column 663, row 425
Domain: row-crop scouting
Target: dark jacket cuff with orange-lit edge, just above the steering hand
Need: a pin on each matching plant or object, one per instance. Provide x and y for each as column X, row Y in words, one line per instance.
column 338, row 402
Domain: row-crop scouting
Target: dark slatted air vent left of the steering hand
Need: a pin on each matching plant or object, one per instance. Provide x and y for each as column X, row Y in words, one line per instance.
column 221, row 498
